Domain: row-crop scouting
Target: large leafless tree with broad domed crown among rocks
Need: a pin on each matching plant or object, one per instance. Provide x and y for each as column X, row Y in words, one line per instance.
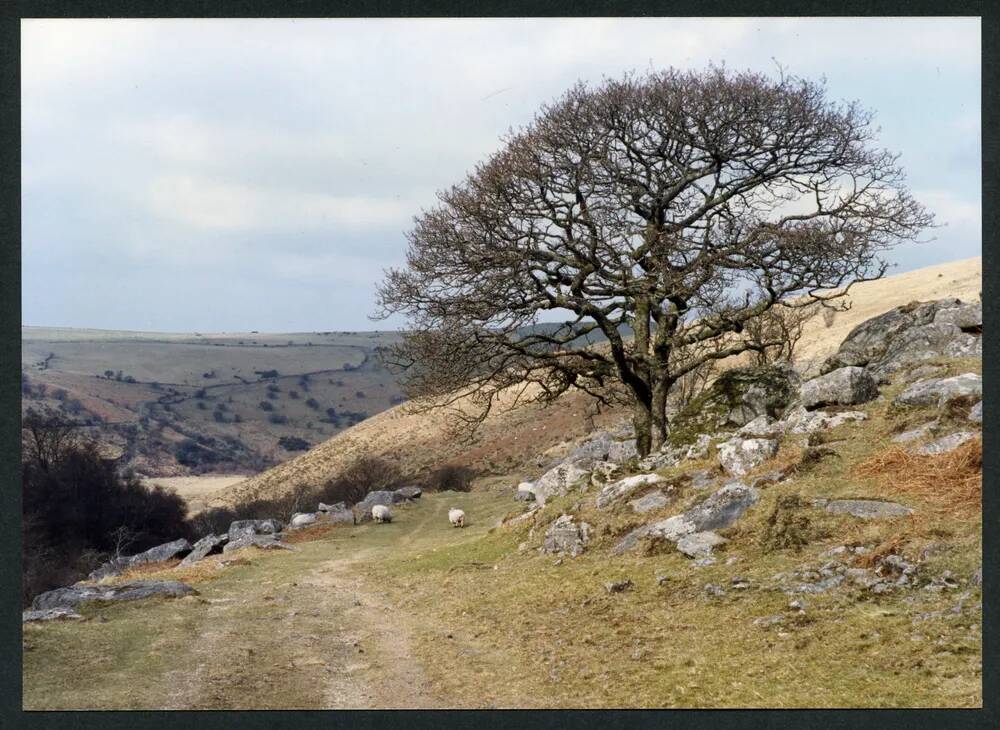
column 663, row 212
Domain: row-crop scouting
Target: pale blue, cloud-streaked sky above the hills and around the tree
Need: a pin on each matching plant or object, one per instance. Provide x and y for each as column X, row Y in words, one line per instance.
column 237, row 175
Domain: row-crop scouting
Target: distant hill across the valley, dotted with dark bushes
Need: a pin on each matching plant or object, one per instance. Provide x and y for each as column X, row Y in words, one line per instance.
column 179, row 404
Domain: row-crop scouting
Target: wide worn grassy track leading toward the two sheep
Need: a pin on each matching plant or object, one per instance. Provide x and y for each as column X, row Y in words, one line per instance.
column 309, row 629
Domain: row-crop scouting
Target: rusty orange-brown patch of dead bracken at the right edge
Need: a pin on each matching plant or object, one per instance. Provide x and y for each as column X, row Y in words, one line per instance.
column 951, row 483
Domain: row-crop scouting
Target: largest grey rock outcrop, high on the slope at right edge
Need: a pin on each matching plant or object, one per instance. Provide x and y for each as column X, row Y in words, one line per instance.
column 910, row 334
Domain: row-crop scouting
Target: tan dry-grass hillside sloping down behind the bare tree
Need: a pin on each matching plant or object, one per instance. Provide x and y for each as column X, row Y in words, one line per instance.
column 515, row 442
